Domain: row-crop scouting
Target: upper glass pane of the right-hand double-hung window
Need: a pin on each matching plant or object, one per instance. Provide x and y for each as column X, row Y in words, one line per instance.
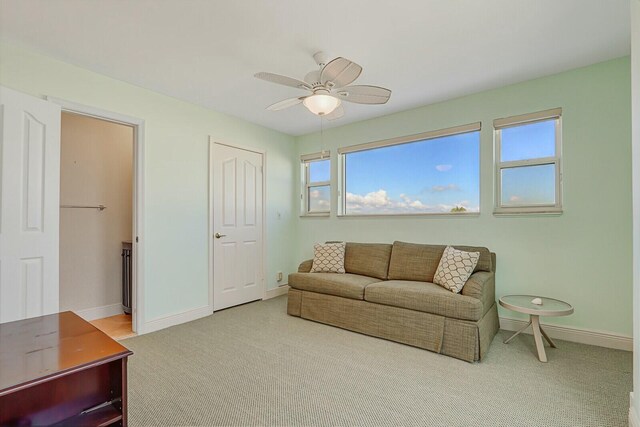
column 531, row 141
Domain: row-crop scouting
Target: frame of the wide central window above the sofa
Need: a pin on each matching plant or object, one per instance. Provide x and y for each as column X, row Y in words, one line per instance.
column 440, row 133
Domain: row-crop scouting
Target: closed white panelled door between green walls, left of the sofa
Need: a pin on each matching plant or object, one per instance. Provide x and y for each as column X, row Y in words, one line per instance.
column 237, row 225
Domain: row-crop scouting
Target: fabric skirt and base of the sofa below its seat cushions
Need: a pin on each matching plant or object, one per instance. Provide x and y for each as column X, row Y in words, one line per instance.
column 462, row 339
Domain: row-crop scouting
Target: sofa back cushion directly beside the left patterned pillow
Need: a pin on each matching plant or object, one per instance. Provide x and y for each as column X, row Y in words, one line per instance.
column 368, row 259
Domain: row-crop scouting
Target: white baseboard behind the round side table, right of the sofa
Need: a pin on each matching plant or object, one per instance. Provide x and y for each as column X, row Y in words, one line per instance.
column 583, row 336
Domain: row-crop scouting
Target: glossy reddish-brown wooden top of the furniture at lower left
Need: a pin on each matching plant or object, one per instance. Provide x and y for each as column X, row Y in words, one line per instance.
column 37, row 348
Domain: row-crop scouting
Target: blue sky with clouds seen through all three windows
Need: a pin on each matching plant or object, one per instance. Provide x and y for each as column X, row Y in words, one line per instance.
column 436, row 175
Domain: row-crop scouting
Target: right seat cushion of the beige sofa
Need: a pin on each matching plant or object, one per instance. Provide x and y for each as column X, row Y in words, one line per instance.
column 426, row 297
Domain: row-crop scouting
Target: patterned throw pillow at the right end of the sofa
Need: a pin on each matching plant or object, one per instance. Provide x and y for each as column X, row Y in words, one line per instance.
column 455, row 268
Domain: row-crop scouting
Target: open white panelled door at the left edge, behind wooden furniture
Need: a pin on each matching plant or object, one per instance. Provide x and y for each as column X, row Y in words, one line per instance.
column 29, row 205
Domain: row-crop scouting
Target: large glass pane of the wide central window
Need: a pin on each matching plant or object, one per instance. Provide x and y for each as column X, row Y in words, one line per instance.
column 432, row 176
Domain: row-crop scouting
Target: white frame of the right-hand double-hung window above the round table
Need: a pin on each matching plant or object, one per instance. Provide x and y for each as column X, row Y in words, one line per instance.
column 521, row 120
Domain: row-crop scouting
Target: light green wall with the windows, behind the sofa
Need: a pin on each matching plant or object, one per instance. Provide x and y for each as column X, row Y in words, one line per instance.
column 582, row 256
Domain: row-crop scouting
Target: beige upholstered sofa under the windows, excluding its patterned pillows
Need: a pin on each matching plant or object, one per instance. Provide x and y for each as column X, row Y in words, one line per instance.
column 387, row 292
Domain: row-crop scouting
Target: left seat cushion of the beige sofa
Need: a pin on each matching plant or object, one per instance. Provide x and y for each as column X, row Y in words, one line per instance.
column 342, row 285
